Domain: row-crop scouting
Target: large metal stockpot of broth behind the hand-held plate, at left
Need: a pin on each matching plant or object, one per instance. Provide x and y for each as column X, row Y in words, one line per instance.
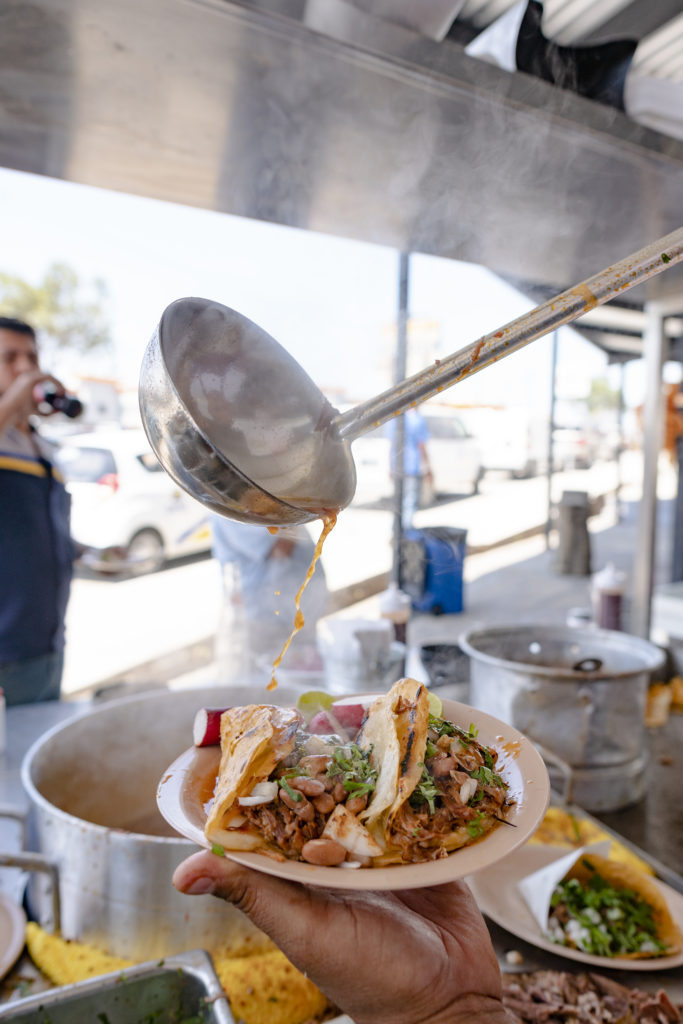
column 92, row 784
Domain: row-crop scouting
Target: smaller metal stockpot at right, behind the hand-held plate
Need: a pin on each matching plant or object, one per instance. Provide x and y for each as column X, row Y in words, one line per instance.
column 580, row 694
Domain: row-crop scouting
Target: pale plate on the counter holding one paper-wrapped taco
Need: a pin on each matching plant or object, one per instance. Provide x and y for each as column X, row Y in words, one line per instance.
column 498, row 897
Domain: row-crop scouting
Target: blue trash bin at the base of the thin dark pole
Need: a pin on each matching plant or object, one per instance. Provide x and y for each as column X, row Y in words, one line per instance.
column 432, row 569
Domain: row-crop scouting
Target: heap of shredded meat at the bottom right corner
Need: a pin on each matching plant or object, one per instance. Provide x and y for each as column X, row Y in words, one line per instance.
column 561, row 998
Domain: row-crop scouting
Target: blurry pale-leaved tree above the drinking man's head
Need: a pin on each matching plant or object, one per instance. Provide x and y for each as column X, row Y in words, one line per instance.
column 67, row 313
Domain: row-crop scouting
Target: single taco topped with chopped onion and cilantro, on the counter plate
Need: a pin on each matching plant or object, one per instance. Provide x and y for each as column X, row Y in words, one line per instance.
column 609, row 909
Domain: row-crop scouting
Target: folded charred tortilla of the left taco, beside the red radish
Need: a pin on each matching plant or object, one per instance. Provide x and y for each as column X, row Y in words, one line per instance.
column 253, row 740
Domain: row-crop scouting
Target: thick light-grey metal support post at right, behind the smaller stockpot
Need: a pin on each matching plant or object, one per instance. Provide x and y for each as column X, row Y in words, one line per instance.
column 655, row 352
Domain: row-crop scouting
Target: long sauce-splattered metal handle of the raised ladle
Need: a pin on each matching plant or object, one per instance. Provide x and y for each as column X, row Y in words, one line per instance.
column 563, row 310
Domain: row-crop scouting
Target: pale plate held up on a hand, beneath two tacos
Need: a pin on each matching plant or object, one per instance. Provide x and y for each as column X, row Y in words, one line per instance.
column 188, row 786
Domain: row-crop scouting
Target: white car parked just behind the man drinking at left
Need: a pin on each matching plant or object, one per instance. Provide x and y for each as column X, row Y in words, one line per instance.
column 125, row 507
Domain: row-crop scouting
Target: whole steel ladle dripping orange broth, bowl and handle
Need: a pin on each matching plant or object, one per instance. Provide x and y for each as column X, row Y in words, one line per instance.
column 240, row 425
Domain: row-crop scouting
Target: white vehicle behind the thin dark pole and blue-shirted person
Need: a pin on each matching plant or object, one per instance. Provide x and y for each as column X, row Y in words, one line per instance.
column 454, row 455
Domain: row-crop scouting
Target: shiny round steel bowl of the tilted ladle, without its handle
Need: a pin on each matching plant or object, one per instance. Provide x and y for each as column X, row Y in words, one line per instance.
column 218, row 396
